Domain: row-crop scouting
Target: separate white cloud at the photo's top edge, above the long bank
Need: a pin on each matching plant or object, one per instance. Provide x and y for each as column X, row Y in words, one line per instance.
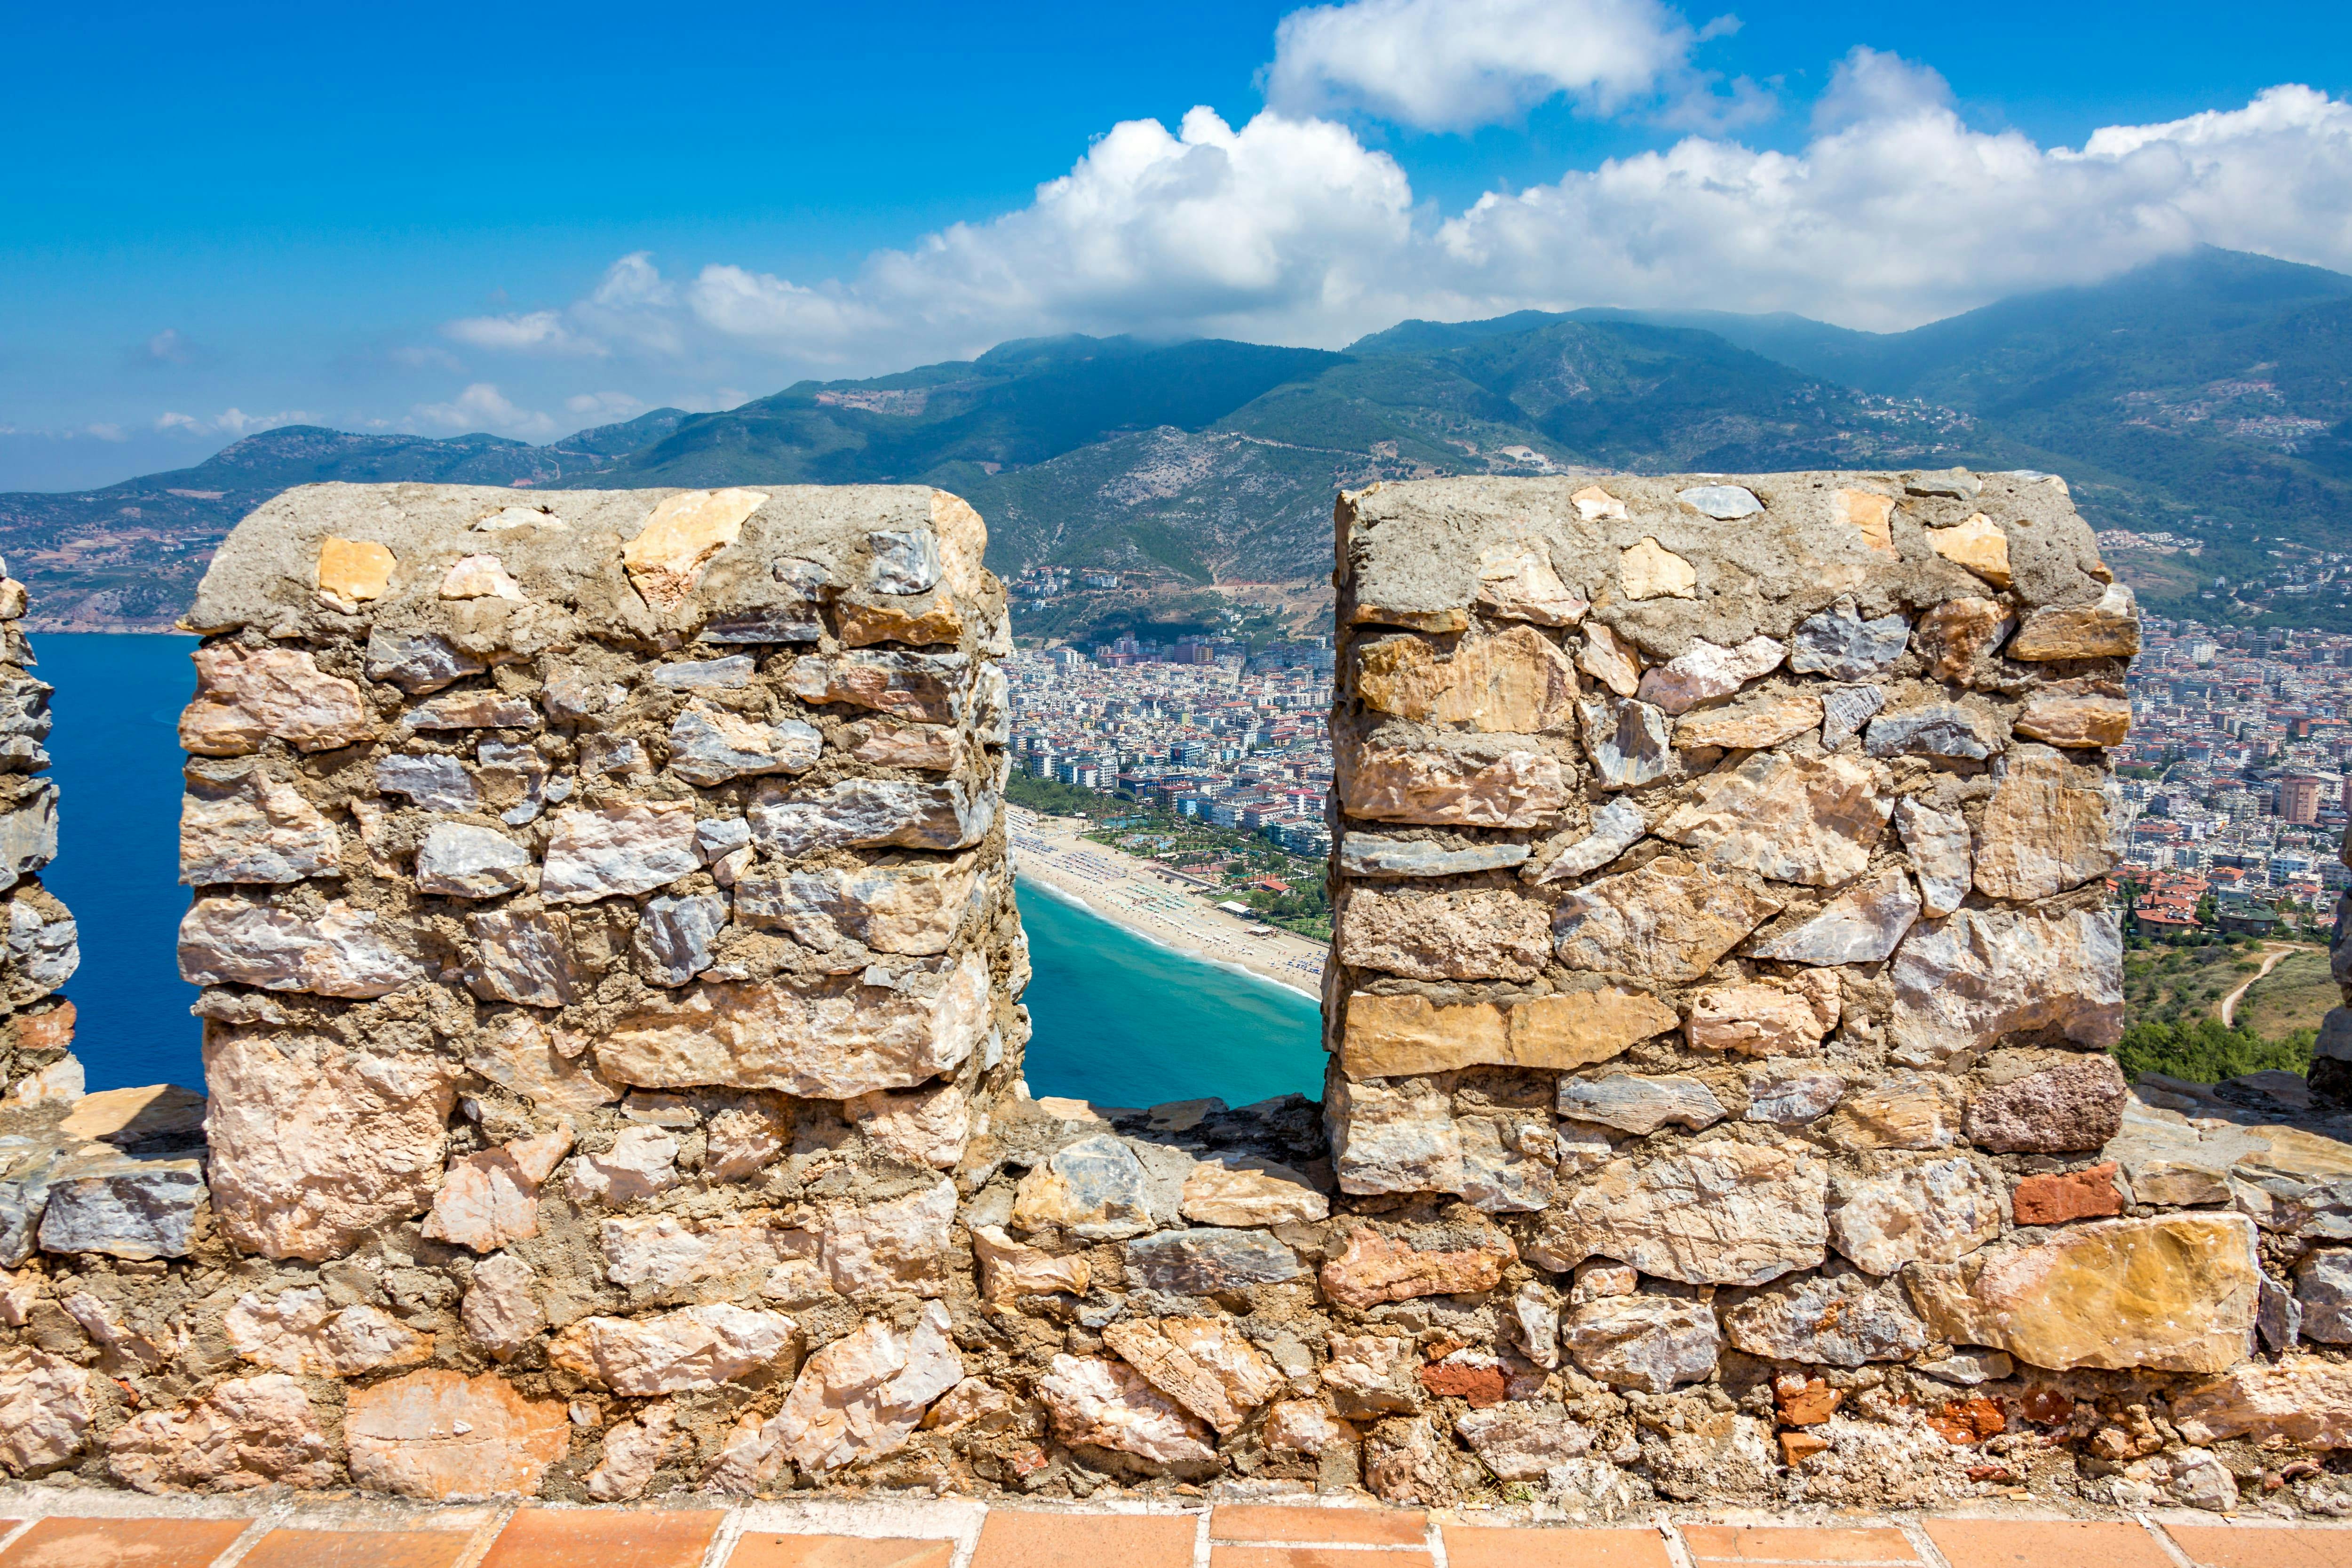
column 1459, row 65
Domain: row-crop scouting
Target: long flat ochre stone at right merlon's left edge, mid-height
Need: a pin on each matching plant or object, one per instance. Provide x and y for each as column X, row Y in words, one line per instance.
column 1410, row 1036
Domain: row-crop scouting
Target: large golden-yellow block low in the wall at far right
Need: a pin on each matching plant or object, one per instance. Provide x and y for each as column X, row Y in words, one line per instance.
column 2170, row 1294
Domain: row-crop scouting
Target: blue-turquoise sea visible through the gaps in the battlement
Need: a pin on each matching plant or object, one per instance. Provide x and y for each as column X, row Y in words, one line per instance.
column 1118, row 1019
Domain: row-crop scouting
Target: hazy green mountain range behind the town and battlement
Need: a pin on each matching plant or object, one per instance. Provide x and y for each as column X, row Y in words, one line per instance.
column 2203, row 403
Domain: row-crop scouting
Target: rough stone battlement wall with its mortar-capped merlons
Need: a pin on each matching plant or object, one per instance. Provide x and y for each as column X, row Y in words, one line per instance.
column 613, row 1040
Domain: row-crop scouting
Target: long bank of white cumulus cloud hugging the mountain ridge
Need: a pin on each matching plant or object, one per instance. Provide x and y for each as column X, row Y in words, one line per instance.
column 1292, row 229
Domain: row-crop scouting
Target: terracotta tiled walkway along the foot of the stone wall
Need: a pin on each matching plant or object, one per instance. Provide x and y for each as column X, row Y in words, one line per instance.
column 140, row 1534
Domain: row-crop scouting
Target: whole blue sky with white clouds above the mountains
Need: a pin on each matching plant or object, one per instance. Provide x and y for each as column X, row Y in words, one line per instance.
column 528, row 220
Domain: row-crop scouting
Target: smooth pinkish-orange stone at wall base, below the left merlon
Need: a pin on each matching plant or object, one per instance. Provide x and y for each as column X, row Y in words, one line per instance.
column 446, row 1438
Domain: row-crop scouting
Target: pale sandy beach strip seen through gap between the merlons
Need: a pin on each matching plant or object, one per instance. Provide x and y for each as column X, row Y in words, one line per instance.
column 1156, row 904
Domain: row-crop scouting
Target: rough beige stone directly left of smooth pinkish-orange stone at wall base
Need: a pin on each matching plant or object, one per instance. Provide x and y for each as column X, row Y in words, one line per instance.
column 243, row 1435
